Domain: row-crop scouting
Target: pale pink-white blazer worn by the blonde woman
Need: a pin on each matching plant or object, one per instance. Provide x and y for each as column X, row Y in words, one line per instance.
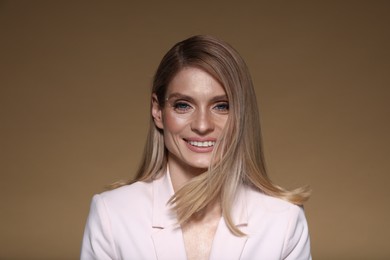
column 135, row 222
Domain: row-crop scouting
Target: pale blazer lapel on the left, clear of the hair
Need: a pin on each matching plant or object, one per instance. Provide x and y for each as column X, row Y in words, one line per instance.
column 167, row 236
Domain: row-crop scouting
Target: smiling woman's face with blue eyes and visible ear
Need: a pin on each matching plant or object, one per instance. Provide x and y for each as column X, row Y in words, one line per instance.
column 195, row 112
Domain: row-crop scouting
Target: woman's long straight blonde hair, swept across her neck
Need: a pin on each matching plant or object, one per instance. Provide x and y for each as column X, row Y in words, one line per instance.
column 238, row 155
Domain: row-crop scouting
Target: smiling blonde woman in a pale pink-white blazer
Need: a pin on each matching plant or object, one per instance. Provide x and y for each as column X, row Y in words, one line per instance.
column 201, row 191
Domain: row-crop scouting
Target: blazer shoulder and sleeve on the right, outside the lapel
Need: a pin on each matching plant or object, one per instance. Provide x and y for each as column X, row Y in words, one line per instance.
column 275, row 225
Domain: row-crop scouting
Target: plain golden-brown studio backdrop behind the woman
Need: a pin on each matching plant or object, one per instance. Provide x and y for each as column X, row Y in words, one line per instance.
column 75, row 80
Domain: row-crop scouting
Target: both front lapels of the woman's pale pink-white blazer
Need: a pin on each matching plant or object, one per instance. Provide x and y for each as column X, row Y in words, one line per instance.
column 167, row 233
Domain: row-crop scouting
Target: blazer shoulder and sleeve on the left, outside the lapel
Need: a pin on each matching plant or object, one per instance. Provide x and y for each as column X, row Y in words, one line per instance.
column 116, row 219
